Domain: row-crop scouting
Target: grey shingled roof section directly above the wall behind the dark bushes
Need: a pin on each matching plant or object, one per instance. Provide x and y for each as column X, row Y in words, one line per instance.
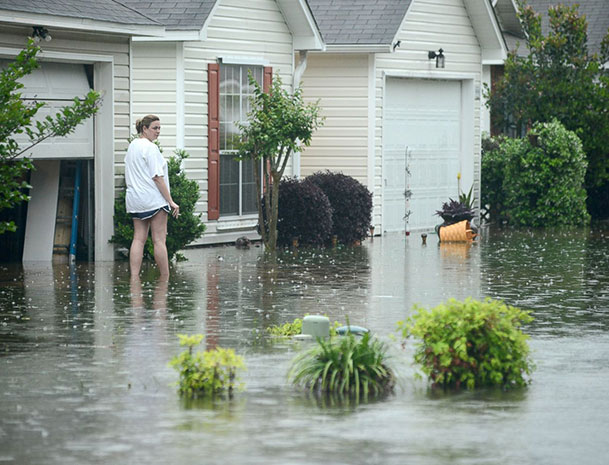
column 351, row 22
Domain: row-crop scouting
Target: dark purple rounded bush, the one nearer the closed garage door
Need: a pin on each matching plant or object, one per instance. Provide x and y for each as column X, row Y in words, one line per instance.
column 351, row 205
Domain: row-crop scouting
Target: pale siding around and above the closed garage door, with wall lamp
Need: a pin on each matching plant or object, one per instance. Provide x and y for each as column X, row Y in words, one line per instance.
column 429, row 25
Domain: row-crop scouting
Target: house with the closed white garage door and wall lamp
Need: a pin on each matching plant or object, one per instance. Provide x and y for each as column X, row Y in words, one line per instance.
column 400, row 86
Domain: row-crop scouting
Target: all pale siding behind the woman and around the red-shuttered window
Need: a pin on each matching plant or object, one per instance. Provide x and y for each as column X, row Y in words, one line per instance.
column 253, row 29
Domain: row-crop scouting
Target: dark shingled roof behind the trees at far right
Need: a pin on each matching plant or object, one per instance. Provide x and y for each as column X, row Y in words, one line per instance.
column 596, row 12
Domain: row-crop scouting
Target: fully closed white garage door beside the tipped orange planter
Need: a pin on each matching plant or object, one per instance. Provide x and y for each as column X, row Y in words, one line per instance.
column 422, row 135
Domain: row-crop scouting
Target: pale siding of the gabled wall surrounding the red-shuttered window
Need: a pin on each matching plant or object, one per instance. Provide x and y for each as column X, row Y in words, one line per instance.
column 248, row 29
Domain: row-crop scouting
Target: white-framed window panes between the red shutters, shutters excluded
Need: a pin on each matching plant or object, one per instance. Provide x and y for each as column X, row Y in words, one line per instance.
column 237, row 183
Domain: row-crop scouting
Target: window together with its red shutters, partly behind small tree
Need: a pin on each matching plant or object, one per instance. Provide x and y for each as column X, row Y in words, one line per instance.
column 231, row 187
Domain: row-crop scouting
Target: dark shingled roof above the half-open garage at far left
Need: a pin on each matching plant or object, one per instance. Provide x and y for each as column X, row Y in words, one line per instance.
column 99, row 10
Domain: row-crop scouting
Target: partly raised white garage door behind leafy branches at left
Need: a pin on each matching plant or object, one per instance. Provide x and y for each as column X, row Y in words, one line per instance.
column 56, row 84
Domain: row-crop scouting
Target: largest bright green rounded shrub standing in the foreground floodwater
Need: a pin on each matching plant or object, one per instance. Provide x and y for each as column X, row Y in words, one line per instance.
column 471, row 344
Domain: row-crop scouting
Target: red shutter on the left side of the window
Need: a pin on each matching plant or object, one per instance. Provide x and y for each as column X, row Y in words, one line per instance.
column 213, row 141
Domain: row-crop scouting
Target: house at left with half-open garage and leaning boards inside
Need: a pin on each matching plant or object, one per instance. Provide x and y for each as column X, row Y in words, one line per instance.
column 85, row 45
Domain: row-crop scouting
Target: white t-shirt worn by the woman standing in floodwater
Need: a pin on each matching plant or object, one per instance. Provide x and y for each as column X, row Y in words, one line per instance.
column 142, row 163
